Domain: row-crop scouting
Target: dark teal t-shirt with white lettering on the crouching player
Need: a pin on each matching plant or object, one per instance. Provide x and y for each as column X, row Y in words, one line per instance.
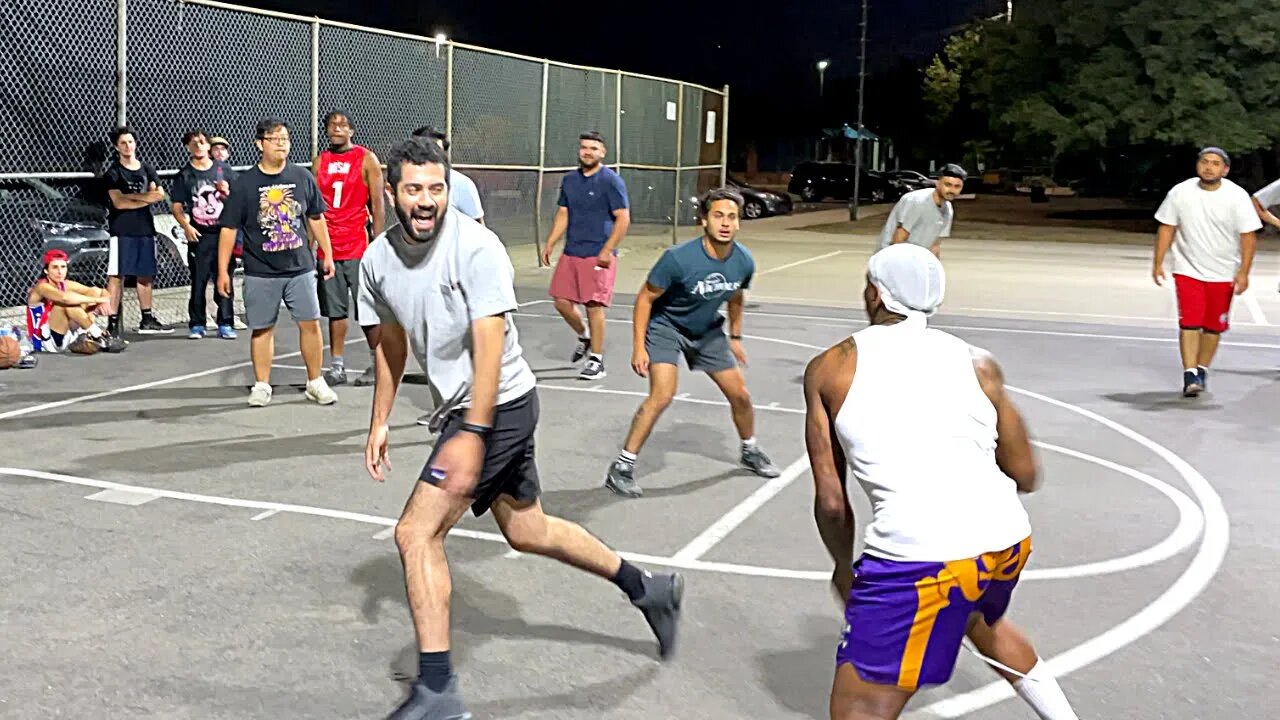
column 697, row 285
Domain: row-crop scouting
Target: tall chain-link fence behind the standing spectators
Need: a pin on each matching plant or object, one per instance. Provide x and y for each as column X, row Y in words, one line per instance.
column 166, row 67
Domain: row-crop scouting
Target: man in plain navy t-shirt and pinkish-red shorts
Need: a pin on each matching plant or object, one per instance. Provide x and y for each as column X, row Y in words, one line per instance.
column 595, row 215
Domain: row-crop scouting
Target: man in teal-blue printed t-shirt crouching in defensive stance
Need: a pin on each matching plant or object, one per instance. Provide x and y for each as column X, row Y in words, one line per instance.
column 678, row 315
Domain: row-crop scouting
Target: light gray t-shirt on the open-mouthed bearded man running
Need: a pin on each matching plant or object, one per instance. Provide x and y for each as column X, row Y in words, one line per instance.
column 436, row 293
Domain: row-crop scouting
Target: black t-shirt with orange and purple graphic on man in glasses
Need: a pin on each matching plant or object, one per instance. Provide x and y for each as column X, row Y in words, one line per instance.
column 272, row 213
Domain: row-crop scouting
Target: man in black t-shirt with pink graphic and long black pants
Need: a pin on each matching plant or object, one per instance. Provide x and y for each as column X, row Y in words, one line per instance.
column 199, row 195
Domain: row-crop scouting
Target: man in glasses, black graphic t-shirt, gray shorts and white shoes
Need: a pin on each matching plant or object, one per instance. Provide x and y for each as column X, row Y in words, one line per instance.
column 277, row 206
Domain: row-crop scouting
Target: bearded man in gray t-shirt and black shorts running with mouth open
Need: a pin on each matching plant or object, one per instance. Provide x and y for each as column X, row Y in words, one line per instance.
column 444, row 285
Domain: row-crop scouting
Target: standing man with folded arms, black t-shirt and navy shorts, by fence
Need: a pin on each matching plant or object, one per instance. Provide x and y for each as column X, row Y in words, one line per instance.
column 132, row 188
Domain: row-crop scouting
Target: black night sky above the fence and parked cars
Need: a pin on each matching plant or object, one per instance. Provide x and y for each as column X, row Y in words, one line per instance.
column 769, row 60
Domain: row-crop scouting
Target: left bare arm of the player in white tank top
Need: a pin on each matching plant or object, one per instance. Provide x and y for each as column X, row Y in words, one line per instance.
column 831, row 511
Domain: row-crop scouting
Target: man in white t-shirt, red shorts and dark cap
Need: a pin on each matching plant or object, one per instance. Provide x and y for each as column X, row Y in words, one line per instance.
column 1210, row 222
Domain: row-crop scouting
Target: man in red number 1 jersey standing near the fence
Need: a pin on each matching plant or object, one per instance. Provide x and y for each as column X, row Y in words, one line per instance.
column 351, row 183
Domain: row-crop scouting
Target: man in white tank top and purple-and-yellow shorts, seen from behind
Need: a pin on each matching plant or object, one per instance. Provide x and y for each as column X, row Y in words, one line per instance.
column 949, row 536
